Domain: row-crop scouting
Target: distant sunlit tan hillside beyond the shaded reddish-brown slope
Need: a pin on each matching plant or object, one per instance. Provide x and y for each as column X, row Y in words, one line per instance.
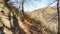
column 48, row 17
